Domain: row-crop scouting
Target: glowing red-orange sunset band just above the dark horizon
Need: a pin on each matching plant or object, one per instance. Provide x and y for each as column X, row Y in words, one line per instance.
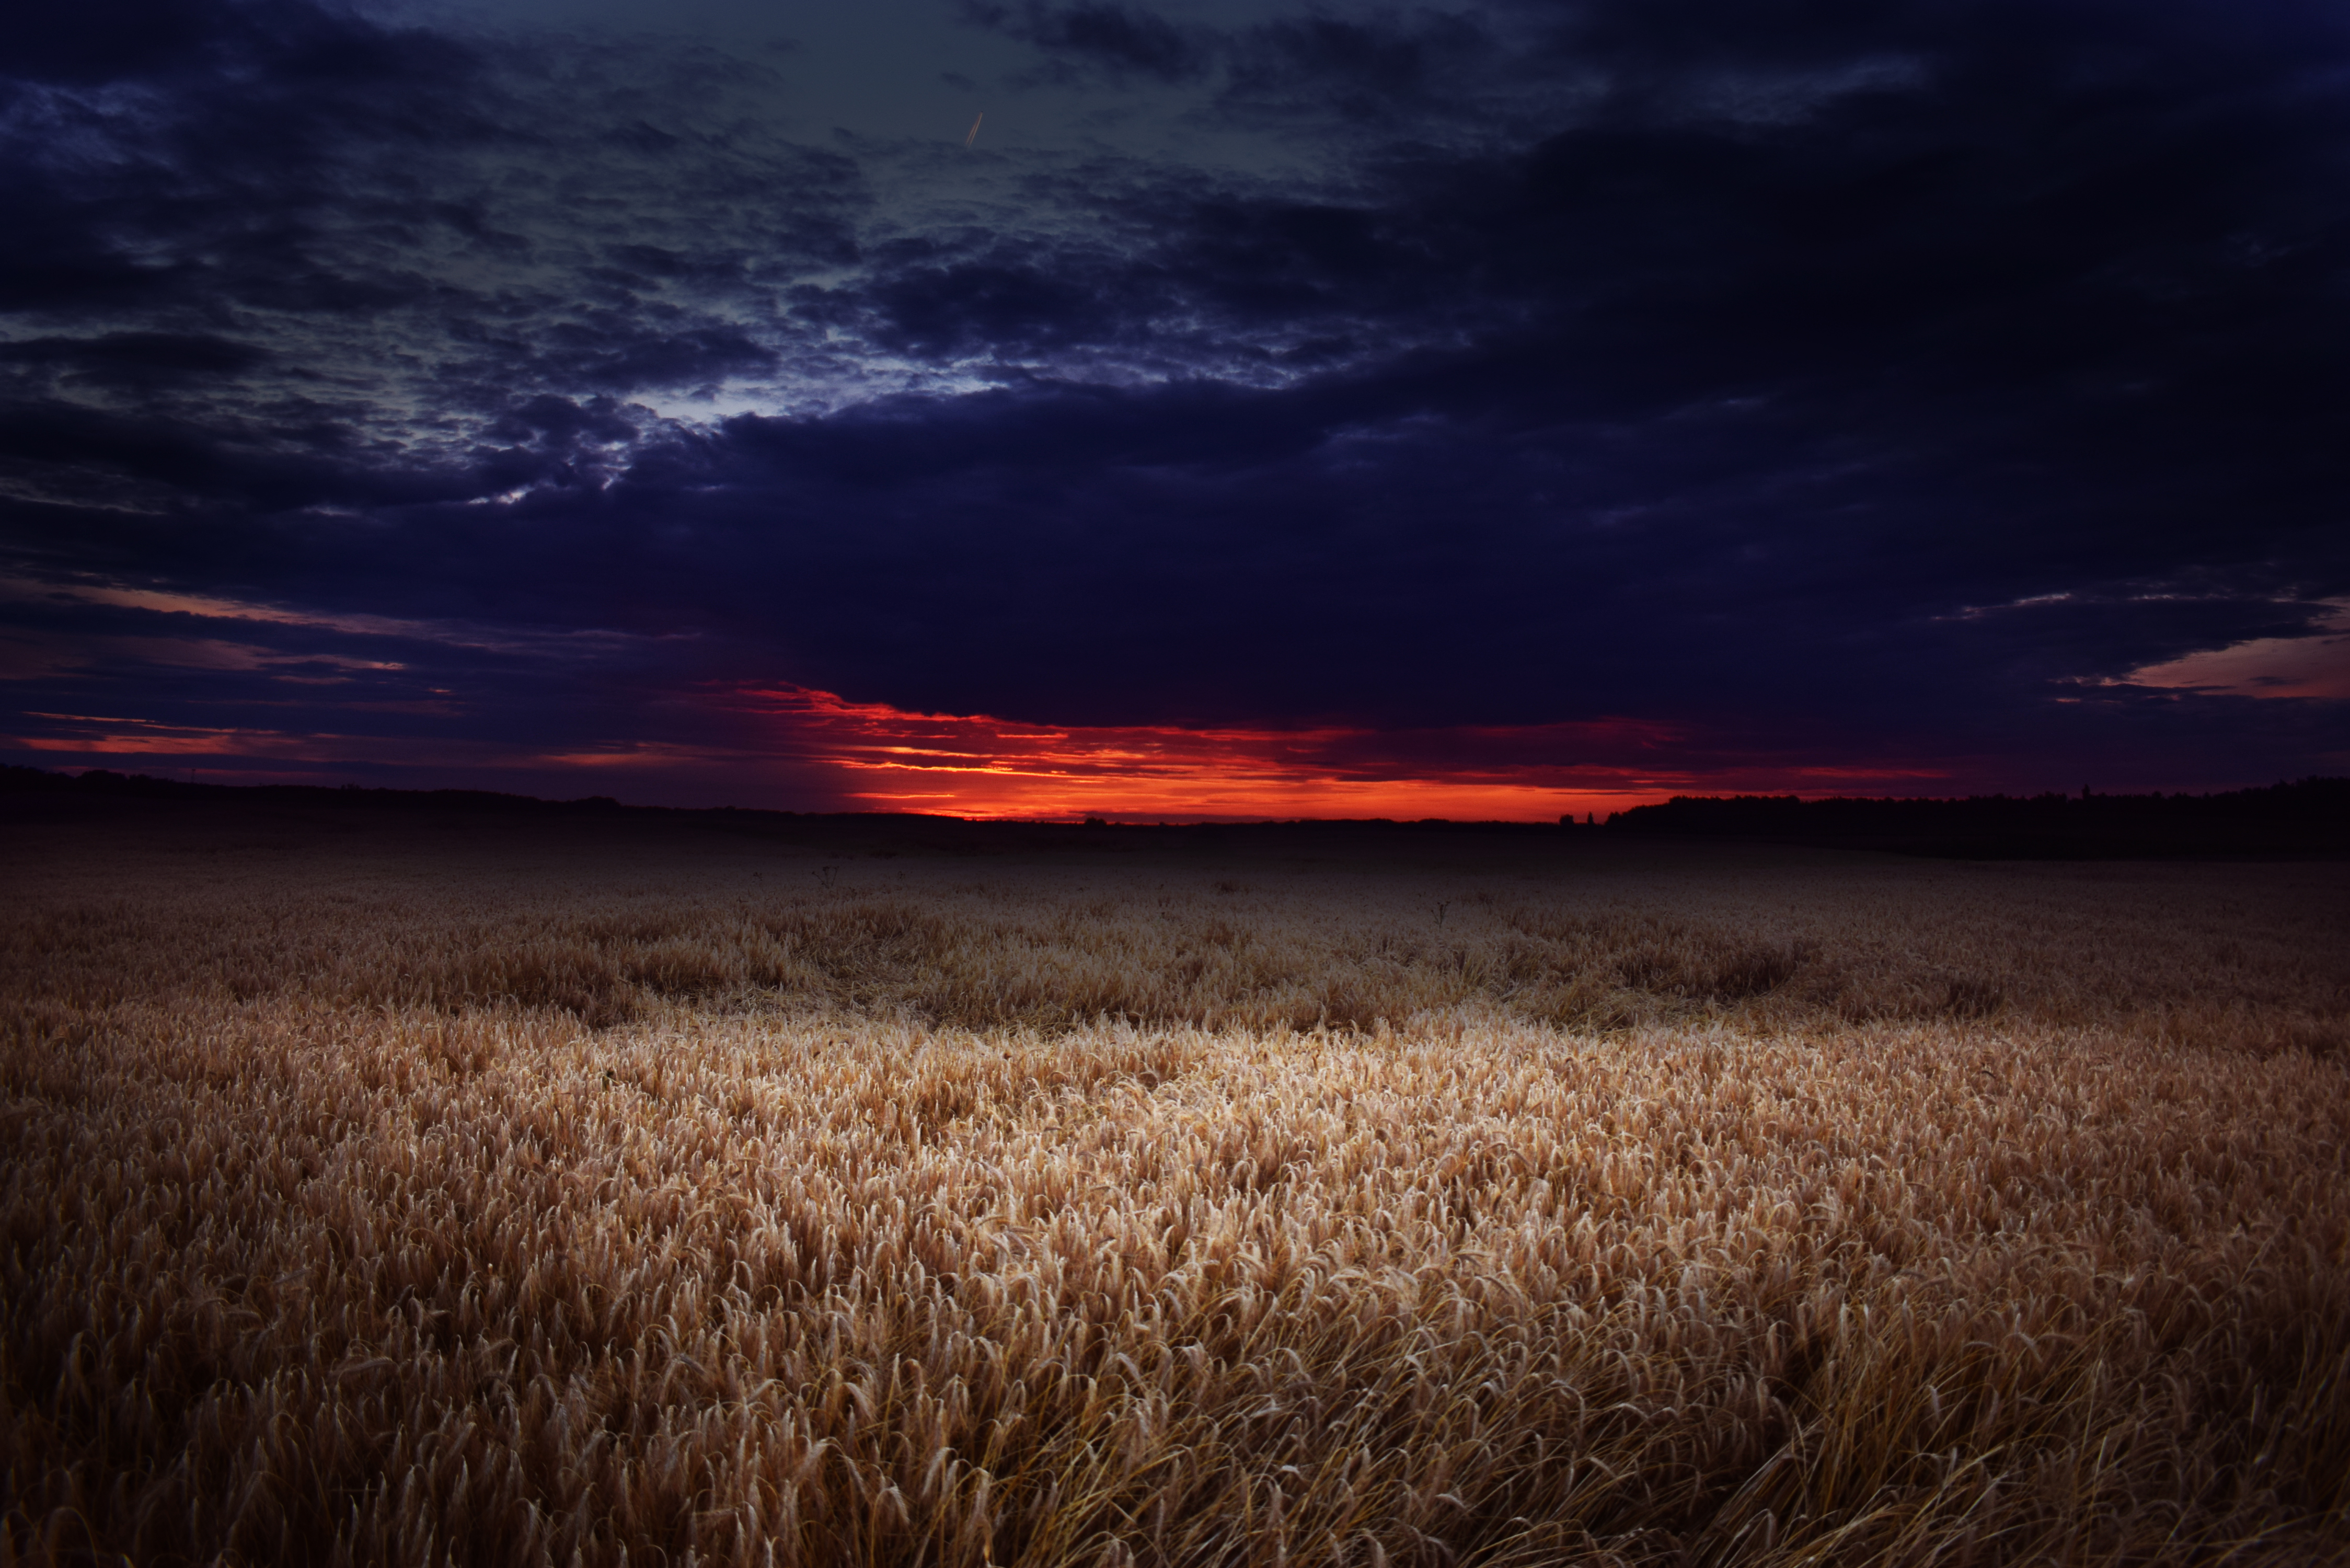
column 803, row 749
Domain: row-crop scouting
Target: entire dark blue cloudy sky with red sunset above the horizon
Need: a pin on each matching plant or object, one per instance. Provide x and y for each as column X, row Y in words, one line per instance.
column 1179, row 410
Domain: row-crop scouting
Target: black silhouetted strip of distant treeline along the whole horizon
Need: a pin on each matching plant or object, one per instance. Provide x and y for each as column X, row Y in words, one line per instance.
column 2278, row 822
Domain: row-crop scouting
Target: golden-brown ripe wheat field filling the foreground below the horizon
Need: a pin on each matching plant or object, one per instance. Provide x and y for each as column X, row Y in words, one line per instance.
column 537, row 1195
